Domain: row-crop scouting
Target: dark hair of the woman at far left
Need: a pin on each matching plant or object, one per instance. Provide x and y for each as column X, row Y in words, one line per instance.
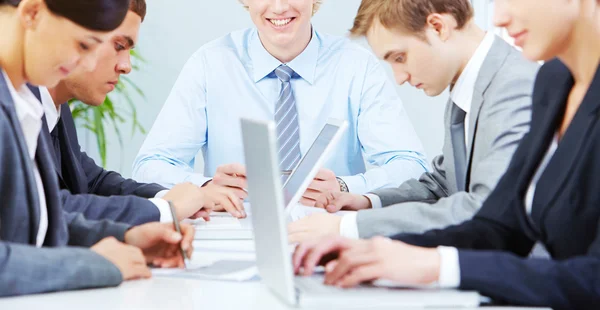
column 98, row 15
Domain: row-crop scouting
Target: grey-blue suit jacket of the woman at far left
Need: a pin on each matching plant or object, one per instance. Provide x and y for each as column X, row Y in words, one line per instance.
column 25, row 269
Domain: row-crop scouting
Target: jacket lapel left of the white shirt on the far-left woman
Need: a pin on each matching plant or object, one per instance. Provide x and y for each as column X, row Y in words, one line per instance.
column 33, row 198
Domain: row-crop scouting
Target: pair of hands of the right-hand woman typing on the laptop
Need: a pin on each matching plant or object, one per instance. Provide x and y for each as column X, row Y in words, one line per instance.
column 369, row 260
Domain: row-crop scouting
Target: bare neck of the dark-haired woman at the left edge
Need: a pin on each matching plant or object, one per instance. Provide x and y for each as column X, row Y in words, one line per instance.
column 11, row 47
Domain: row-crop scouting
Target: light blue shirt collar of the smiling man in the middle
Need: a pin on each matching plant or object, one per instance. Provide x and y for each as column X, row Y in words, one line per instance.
column 303, row 65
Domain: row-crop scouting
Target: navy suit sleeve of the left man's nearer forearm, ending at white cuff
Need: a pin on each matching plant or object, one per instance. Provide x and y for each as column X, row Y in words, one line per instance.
column 126, row 209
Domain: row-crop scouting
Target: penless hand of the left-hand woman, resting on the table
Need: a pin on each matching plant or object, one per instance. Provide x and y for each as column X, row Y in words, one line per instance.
column 128, row 259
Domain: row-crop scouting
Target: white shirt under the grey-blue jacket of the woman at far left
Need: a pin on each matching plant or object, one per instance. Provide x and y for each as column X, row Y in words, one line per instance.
column 30, row 112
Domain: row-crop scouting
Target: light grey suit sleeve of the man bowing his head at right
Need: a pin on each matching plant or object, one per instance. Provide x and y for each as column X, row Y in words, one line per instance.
column 503, row 121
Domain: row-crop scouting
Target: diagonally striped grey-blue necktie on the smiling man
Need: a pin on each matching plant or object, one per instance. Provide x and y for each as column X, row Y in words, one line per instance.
column 286, row 118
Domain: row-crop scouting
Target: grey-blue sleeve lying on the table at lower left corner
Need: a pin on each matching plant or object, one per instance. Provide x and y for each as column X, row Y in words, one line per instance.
column 25, row 269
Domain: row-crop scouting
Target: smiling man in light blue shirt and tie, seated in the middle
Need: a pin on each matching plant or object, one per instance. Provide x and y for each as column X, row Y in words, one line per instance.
column 285, row 71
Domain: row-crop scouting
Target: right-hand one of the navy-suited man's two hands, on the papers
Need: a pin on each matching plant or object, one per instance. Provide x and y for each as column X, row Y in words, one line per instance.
column 223, row 198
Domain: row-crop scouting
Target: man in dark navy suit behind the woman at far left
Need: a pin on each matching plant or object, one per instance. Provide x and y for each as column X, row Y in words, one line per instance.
column 129, row 201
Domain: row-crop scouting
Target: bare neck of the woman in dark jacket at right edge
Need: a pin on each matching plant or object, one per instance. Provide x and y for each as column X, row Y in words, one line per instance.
column 582, row 55
